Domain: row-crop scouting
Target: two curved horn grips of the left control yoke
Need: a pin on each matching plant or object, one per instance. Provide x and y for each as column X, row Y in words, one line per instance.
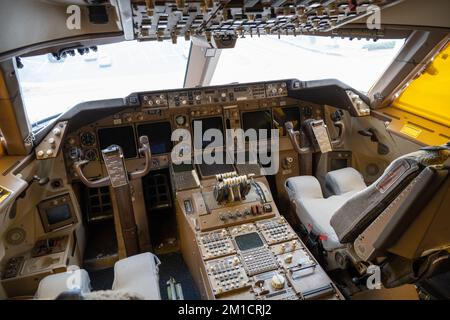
column 106, row 181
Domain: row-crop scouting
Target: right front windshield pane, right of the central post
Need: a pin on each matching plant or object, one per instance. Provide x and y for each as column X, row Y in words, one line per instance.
column 358, row 63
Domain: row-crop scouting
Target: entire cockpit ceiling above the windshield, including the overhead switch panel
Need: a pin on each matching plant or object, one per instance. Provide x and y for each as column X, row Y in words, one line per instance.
column 29, row 26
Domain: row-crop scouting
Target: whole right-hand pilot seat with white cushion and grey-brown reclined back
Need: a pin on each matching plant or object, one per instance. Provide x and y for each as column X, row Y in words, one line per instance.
column 393, row 219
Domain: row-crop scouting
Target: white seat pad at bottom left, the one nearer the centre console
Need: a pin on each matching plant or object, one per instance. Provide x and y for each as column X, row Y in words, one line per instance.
column 138, row 274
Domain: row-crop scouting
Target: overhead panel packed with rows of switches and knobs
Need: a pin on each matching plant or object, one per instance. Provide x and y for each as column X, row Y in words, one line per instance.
column 161, row 20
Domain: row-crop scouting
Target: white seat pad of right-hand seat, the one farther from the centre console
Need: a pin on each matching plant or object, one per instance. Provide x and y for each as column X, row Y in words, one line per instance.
column 344, row 180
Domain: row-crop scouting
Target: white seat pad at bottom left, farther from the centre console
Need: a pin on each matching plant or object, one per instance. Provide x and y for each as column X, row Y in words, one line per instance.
column 53, row 285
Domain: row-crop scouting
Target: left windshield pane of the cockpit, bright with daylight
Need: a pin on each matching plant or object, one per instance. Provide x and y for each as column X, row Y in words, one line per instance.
column 50, row 87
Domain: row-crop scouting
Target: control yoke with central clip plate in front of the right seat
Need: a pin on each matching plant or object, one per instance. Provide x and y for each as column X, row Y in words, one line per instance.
column 314, row 134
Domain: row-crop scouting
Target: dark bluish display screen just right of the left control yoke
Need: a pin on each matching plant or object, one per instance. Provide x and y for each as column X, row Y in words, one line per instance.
column 159, row 135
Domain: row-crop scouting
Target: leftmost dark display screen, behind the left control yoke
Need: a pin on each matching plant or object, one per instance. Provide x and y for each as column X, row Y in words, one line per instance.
column 121, row 136
